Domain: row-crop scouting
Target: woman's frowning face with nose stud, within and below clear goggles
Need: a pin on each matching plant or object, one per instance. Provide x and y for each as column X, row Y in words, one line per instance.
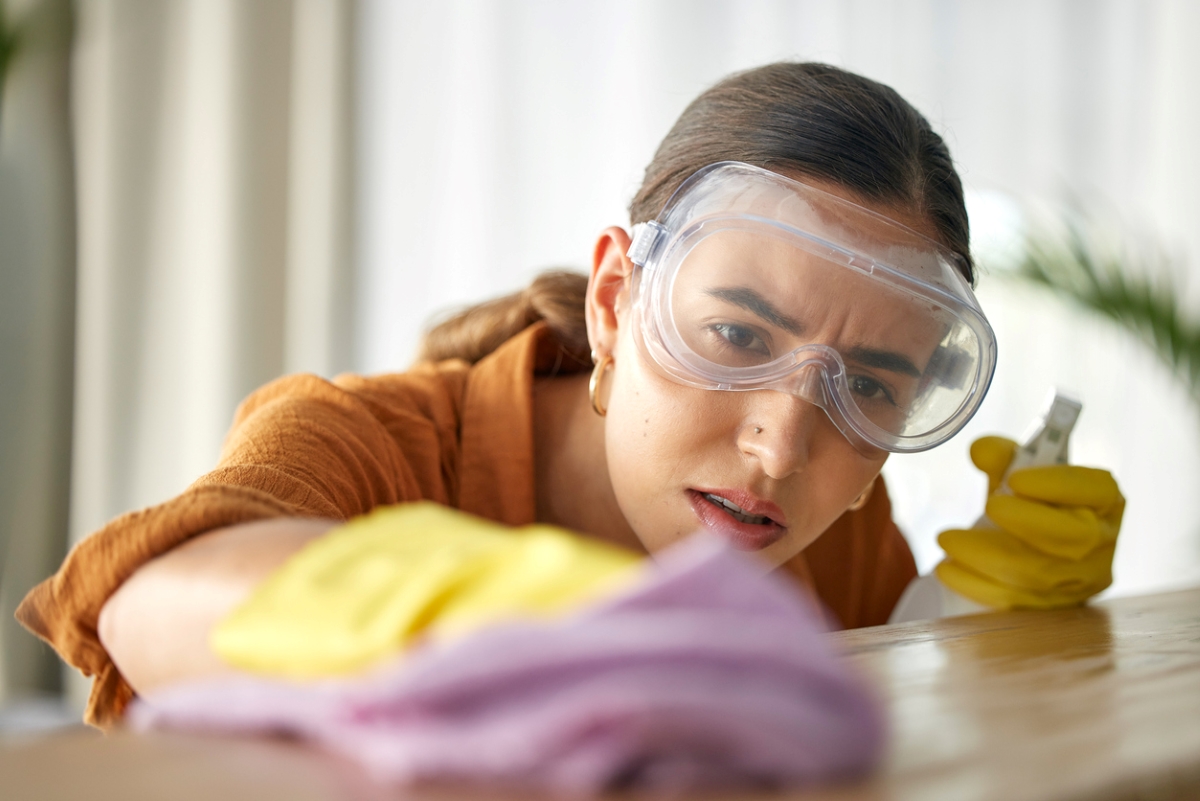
column 767, row 471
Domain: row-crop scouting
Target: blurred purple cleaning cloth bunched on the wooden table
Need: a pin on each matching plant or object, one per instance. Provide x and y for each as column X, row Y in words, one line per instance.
column 705, row 674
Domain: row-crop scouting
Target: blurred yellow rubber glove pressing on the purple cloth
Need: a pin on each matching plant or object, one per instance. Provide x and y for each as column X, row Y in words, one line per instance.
column 369, row 588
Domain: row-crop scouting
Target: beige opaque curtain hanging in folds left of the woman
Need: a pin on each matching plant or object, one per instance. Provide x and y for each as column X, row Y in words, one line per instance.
column 215, row 196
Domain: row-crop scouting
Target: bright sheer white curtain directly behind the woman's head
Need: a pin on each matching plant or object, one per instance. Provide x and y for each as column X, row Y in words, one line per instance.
column 500, row 138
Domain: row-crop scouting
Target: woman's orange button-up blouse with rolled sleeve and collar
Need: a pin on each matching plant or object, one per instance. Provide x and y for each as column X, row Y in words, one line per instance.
column 451, row 432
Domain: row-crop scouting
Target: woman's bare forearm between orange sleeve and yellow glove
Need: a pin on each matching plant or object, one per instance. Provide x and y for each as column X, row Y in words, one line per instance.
column 157, row 625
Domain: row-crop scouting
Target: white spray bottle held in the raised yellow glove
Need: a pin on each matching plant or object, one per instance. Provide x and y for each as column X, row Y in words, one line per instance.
column 1046, row 443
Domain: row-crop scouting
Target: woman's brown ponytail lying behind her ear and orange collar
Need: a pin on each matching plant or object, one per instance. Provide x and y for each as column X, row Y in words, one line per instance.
column 556, row 298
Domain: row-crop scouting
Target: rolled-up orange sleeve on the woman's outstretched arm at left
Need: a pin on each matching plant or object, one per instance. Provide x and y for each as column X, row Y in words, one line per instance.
column 299, row 448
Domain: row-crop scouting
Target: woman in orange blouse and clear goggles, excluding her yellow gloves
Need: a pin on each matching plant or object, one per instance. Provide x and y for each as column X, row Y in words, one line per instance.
column 749, row 377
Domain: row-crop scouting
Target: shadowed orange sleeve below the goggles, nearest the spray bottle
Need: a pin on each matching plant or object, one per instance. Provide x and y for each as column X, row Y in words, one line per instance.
column 862, row 564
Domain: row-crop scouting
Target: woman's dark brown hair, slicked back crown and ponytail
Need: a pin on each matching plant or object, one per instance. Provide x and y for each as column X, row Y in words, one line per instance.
column 803, row 119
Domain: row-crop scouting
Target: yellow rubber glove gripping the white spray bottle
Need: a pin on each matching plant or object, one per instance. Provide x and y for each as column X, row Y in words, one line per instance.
column 1055, row 535
